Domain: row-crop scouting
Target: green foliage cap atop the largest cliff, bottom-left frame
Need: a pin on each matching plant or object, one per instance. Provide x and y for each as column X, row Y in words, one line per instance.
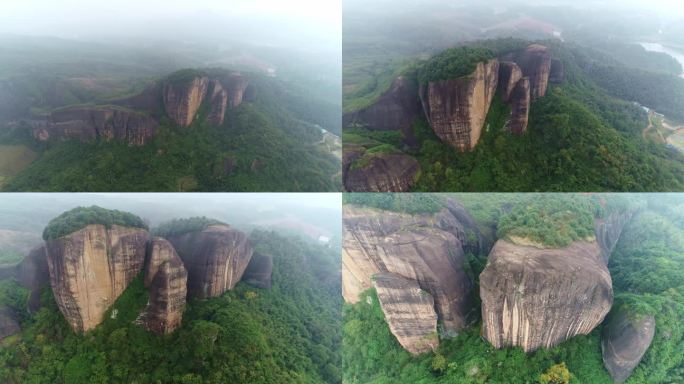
column 80, row 217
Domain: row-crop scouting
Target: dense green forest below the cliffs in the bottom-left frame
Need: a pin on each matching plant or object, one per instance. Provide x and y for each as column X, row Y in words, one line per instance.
column 288, row 334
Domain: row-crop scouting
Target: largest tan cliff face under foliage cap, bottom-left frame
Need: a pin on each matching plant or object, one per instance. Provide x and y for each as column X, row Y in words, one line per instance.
column 91, row 267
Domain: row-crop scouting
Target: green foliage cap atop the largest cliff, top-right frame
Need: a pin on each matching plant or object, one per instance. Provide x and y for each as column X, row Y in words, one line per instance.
column 454, row 63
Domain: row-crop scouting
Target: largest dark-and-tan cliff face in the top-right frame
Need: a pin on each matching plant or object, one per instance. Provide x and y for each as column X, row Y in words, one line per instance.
column 456, row 109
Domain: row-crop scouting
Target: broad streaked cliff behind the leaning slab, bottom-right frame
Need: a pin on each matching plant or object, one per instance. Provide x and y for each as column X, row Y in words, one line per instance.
column 414, row 247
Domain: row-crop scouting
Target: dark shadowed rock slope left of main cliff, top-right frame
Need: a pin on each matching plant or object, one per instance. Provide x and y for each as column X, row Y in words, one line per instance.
column 394, row 110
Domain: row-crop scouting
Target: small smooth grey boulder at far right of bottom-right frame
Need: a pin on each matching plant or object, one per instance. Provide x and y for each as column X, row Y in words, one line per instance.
column 624, row 342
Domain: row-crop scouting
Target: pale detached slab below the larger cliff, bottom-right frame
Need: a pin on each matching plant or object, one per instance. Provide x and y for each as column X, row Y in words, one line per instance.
column 409, row 312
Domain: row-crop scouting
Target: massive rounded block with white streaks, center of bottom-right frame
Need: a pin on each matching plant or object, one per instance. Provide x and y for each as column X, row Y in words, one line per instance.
column 541, row 297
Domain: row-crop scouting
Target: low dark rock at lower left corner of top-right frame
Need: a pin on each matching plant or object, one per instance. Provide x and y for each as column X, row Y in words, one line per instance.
column 382, row 172
